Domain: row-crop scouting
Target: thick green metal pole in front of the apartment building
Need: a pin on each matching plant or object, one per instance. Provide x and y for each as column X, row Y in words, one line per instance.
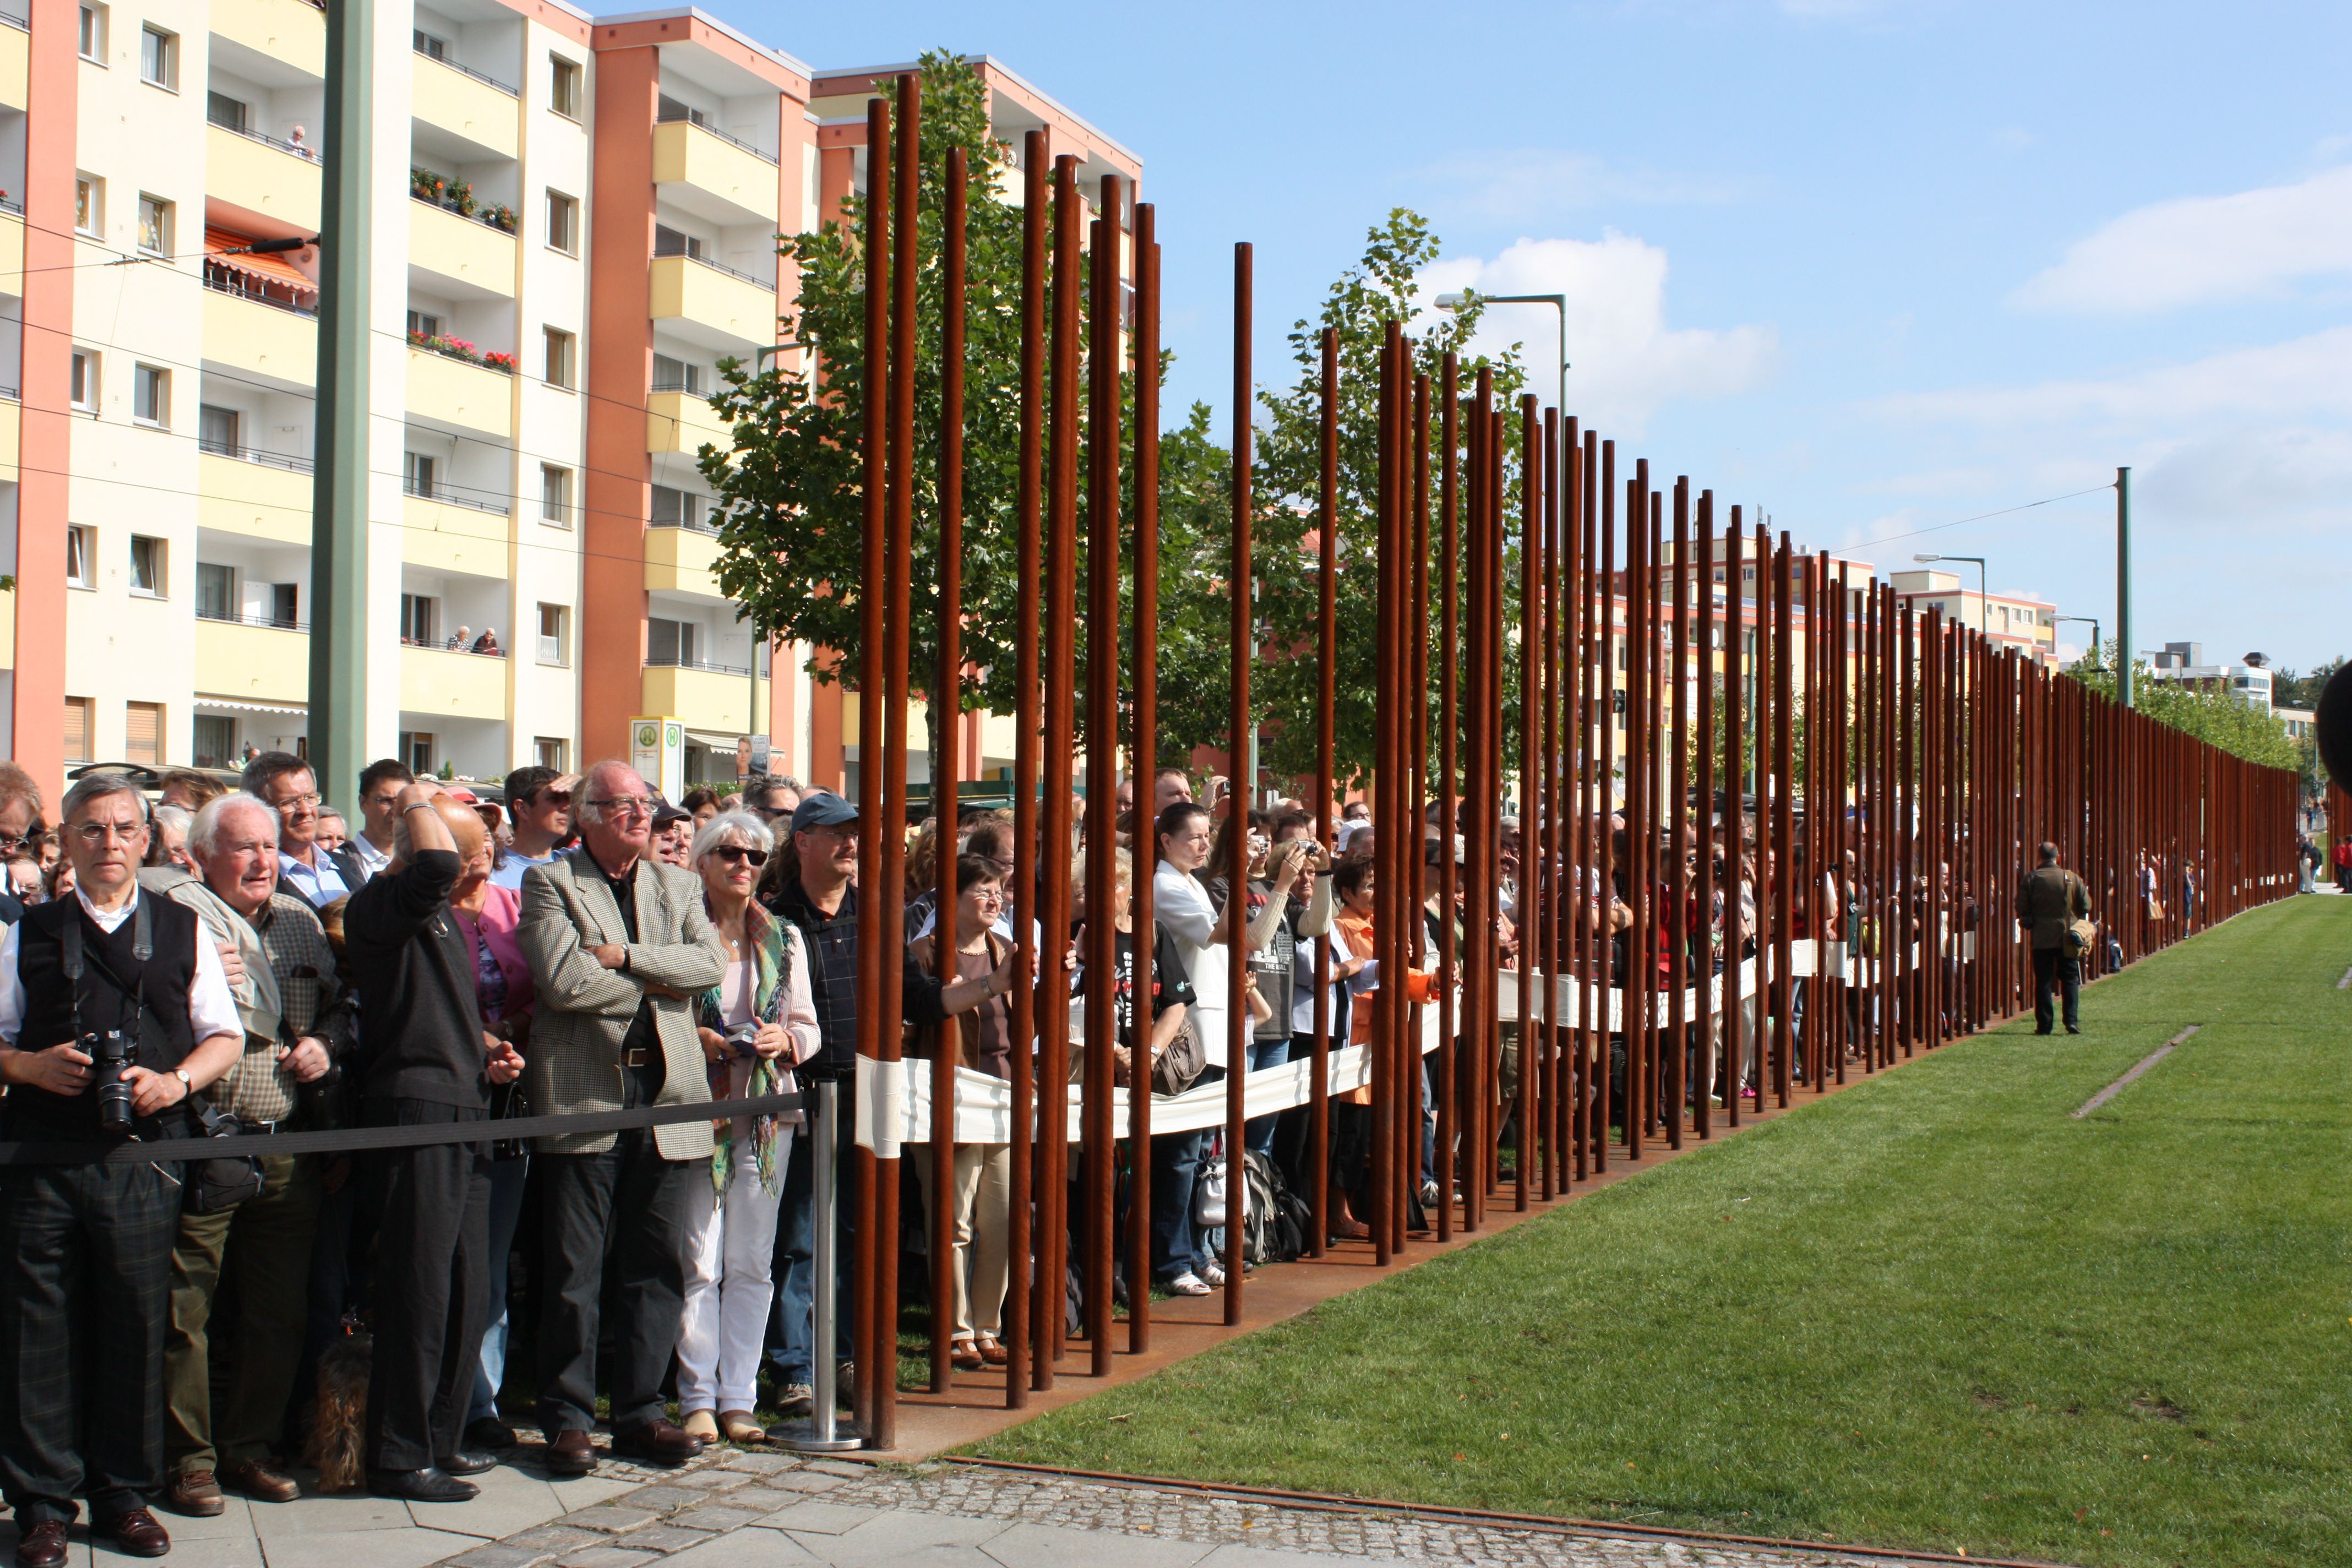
column 340, row 441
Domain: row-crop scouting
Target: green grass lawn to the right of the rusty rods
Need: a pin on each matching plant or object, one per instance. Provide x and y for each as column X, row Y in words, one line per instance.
column 1932, row 1311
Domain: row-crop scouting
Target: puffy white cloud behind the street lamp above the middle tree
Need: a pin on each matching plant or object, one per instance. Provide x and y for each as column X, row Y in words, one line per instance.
column 1626, row 359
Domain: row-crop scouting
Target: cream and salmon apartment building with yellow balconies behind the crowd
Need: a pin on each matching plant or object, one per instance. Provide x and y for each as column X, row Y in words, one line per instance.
column 573, row 222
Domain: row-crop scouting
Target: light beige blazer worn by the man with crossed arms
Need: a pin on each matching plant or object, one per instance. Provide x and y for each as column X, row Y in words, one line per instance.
column 584, row 1010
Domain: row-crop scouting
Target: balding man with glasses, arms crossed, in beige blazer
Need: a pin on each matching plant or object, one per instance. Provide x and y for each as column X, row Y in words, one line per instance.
column 620, row 949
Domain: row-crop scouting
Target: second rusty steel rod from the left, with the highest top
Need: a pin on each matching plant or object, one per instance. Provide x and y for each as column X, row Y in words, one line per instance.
column 890, row 880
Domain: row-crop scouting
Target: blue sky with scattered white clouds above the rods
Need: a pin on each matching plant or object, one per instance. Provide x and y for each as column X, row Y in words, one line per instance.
column 1869, row 264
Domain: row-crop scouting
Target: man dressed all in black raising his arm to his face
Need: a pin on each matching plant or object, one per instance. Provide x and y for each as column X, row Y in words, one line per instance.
column 425, row 1064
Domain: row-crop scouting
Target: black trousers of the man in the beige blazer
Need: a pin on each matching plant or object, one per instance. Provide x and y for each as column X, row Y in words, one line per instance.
column 634, row 1202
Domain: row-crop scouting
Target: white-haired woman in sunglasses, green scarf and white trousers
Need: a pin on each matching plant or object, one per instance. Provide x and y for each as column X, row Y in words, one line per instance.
column 756, row 1024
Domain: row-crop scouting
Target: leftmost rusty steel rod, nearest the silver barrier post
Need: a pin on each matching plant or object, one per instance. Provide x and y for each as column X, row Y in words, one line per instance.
column 874, row 634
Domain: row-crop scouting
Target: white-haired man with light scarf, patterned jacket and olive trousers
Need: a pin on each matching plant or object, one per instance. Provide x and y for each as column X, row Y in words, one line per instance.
column 298, row 1026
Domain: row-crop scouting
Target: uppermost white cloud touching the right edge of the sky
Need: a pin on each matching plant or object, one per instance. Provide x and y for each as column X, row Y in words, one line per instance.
column 2203, row 250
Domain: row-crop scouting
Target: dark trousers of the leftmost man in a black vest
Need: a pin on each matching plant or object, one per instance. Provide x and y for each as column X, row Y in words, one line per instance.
column 86, row 1287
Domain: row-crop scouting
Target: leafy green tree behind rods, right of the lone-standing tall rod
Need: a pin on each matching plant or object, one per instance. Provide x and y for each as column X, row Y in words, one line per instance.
column 1382, row 288
